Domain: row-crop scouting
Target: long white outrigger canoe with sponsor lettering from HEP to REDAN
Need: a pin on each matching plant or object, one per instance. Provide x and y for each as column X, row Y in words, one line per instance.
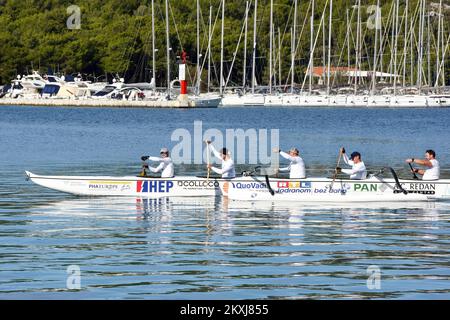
column 374, row 189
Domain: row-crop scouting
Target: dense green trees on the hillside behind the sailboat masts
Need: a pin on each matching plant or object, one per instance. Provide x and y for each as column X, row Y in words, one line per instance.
column 115, row 37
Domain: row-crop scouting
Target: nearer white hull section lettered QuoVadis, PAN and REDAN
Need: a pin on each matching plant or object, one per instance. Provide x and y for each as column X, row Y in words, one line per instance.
column 374, row 189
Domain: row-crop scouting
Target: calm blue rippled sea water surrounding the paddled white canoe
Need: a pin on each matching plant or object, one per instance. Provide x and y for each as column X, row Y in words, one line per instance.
column 213, row 248
